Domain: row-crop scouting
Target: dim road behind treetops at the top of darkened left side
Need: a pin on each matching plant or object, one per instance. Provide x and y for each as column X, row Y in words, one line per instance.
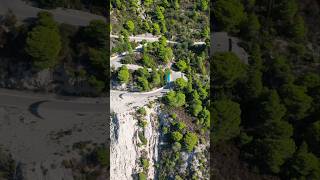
column 25, row 11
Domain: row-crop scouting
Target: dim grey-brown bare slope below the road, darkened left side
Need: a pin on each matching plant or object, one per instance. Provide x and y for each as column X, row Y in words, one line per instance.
column 35, row 142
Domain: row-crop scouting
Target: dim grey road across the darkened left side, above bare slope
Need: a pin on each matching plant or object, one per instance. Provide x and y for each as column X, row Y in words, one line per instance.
column 49, row 102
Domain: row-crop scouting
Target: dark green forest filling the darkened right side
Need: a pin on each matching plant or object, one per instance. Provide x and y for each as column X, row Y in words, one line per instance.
column 266, row 113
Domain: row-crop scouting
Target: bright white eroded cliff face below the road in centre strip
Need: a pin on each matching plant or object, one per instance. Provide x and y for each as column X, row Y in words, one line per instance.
column 126, row 149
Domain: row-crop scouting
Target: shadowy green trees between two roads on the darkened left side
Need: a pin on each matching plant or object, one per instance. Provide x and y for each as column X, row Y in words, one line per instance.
column 73, row 58
